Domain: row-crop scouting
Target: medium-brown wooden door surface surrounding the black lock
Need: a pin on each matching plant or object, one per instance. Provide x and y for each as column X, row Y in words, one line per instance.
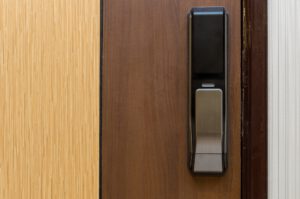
column 145, row 102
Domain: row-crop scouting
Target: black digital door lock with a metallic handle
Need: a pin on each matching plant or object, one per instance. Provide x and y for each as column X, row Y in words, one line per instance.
column 208, row 90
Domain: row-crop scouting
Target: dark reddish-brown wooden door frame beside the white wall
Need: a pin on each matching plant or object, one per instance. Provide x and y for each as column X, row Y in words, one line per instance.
column 254, row 99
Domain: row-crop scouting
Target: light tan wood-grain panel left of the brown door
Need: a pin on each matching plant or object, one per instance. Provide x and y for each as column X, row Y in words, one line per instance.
column 49, row 99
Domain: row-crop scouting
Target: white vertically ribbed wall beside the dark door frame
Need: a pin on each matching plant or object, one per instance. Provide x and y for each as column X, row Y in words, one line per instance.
column 284, row 98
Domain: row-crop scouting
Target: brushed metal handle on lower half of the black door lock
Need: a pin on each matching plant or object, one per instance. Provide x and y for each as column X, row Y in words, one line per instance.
column 209, row 130
